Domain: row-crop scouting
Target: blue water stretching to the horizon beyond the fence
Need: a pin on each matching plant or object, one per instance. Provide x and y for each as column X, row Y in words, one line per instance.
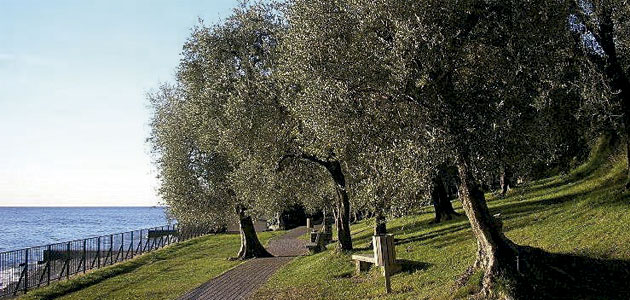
column 22, row 227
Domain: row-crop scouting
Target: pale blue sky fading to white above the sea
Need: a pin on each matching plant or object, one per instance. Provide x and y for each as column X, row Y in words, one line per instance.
column 73, row 111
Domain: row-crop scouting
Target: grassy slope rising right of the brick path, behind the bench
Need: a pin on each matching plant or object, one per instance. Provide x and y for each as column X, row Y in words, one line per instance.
column 583, row 214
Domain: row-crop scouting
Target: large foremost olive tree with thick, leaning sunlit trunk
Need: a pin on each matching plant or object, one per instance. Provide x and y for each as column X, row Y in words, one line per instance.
column 451, row 71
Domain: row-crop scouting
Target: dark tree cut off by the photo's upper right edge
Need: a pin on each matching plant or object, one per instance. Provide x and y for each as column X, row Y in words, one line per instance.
column 602, row 36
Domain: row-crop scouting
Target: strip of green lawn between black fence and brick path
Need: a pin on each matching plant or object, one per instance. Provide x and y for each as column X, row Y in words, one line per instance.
column 164, row 274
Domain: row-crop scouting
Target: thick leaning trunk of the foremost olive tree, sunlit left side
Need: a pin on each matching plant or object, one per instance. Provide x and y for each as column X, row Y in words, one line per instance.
column 495, row 252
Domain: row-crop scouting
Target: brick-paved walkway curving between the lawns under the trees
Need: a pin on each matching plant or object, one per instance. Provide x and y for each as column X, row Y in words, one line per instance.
column 241, row 281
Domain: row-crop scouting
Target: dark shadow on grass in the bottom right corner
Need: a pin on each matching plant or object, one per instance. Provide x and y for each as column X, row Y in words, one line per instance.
column 565, row 276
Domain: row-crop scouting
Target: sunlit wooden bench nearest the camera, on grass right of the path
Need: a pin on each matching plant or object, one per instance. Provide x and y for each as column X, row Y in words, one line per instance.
column 384, row 256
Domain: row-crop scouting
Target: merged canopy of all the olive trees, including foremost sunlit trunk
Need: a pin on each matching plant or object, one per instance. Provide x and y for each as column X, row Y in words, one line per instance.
column 367, row 105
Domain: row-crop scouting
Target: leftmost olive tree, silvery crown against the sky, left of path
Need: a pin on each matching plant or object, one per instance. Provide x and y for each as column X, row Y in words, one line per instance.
column 229, row 92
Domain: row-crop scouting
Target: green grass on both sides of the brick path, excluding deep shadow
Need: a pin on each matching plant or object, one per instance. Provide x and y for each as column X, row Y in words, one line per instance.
column 582, row 218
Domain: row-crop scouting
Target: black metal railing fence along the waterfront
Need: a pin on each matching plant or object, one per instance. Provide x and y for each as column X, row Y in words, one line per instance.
column 24, row 269
